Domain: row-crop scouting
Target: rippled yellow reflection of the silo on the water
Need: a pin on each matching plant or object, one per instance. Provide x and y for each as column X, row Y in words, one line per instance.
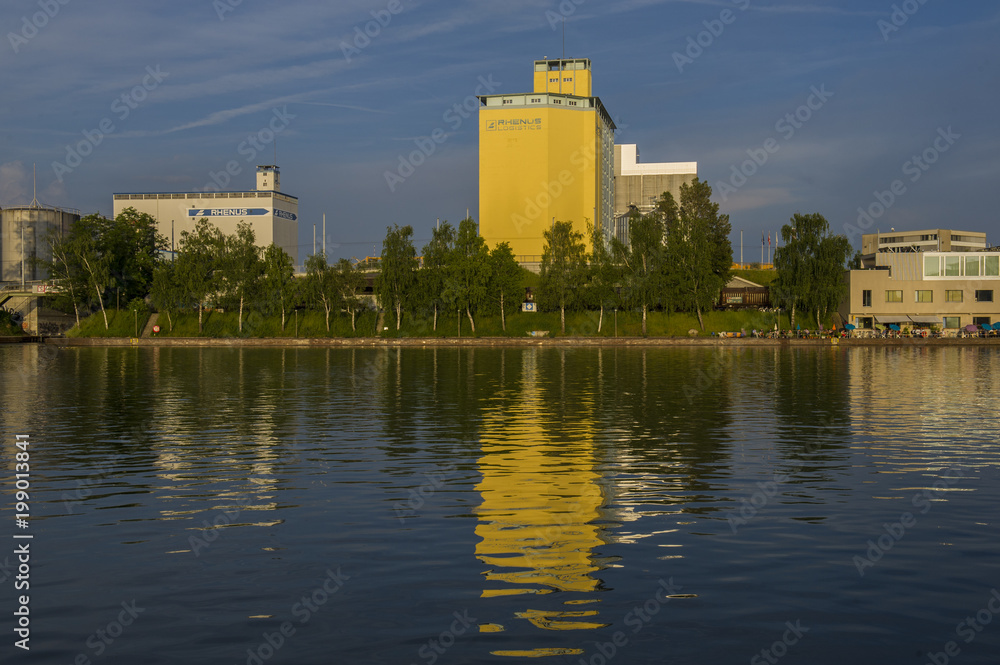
column 540, row 499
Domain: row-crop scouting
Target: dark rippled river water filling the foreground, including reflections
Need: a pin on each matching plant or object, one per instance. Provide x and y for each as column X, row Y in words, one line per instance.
column 436, row 506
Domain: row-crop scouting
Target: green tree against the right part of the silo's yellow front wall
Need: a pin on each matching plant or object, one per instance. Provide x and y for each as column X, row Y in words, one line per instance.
column 564, row 267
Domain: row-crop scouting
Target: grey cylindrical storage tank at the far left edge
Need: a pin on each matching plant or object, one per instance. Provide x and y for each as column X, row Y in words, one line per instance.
column 24, row 237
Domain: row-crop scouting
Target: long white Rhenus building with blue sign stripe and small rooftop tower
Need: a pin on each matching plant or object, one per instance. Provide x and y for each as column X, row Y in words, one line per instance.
column 272, row 214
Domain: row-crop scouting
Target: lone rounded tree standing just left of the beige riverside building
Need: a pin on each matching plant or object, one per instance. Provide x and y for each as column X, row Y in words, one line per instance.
column 810, row 265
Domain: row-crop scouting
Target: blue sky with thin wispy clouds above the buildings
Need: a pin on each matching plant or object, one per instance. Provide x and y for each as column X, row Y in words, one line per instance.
column 898, row 80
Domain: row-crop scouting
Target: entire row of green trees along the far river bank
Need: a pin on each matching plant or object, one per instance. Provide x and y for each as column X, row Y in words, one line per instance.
column 675, row 258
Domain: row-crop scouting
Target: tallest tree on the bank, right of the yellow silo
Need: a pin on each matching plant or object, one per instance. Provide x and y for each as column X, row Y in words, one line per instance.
column 699, row 254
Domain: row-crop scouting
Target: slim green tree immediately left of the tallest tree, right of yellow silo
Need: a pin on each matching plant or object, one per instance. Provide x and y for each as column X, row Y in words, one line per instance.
column 641, row 261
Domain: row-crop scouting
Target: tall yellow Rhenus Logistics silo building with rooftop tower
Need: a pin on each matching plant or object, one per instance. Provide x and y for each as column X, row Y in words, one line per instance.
column 543, row 156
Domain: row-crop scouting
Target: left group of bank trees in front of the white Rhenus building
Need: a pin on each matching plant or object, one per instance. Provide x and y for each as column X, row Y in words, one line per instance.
column 123, row 260
